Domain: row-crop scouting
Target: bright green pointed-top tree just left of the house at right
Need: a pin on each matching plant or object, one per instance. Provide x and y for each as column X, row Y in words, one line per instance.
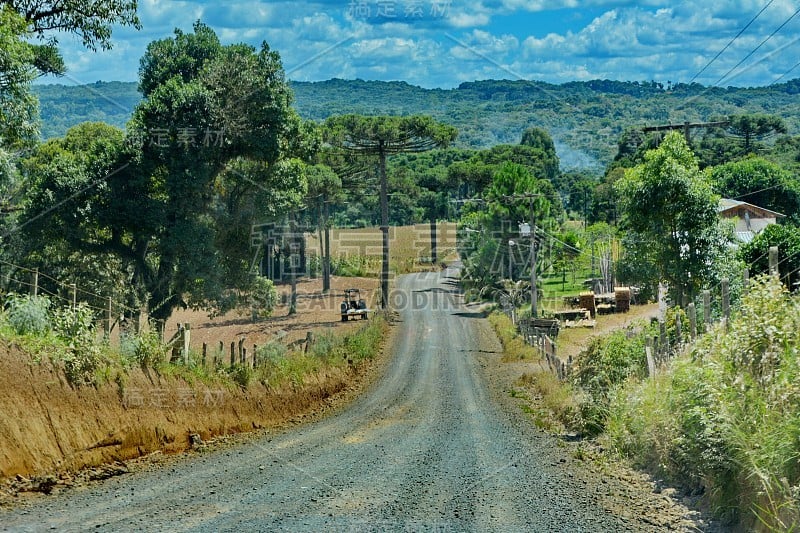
column 671, row 210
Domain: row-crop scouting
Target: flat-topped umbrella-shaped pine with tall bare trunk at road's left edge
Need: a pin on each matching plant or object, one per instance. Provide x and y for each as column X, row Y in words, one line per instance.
column 381, row 137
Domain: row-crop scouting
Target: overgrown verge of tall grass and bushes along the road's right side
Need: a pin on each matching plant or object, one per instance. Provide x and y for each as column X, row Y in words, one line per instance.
column 721, row 421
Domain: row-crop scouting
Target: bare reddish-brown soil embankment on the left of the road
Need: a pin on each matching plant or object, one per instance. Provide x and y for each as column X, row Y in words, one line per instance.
column 46, row 426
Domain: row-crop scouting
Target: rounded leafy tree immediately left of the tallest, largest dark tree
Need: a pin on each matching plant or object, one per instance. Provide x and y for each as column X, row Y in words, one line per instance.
column 61, row 230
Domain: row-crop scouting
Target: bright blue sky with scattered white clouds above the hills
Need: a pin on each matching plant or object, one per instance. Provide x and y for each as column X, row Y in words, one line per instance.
column 441, row 43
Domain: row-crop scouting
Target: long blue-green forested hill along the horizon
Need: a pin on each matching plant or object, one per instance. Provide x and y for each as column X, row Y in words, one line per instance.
column 585, row 119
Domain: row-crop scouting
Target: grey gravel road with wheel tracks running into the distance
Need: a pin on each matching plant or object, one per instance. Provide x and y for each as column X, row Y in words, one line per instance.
column 428, row 447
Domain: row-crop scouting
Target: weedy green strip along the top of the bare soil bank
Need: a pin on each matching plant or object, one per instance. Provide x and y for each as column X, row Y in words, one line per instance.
column 67, row 339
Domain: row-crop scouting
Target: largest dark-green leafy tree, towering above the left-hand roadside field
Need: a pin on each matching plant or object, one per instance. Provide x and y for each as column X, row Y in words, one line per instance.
column 198, row 149
